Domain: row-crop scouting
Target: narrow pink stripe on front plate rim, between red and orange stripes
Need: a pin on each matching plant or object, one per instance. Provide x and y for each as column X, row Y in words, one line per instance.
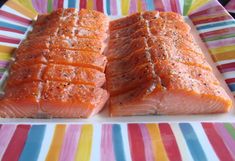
column 147, row 142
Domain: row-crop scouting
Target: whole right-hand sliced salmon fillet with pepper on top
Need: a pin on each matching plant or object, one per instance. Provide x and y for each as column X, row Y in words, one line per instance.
column 163, row 72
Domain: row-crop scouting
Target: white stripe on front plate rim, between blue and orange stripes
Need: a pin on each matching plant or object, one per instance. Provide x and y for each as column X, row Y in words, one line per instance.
column 48, row 136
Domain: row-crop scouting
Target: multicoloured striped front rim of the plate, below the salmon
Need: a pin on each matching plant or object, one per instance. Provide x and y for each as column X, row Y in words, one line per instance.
column 118, row 142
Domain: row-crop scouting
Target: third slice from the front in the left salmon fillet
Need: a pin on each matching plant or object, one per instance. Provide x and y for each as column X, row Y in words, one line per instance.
column 60, row 56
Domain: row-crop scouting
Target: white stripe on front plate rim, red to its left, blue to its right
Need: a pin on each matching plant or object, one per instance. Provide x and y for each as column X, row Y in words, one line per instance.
column 184, row 150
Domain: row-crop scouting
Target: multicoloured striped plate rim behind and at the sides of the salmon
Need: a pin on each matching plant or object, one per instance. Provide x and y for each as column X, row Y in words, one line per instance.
column 215, row 25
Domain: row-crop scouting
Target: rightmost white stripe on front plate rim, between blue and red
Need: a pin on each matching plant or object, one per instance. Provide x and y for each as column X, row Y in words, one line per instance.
column 205, row 144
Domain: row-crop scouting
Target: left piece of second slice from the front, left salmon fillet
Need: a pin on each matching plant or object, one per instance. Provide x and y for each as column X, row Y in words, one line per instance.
column 25, row 74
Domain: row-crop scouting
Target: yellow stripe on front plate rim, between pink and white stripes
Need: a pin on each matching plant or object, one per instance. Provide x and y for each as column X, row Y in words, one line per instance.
column 85, row 143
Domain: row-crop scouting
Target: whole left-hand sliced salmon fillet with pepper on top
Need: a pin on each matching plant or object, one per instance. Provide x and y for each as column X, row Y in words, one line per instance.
column 58, row 70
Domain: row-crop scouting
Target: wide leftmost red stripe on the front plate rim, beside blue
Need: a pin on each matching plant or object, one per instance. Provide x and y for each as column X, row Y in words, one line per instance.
column 16, row 144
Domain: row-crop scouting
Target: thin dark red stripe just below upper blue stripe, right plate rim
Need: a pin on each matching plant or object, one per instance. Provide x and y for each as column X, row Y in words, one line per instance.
column 218, row 32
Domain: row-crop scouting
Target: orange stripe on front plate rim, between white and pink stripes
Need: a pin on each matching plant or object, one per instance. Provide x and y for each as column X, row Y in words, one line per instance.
column 57, row 141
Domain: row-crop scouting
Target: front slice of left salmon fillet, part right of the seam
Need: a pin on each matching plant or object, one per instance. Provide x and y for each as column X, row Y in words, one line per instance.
column 61, row 99
